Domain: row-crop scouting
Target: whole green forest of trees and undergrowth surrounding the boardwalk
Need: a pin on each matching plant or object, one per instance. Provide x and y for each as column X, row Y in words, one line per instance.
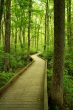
column 28, row 27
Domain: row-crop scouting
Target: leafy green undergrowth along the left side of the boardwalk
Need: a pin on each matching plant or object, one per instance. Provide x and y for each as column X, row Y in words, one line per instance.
column 18, row 60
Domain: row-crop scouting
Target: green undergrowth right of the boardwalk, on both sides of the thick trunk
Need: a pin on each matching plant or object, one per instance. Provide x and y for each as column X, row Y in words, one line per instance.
column 68, row 78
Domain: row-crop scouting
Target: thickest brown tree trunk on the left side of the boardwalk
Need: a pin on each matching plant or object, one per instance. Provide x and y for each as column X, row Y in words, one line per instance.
column 7, row 35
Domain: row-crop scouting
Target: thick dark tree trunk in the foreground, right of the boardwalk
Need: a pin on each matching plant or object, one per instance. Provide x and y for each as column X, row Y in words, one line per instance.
column 58, row 67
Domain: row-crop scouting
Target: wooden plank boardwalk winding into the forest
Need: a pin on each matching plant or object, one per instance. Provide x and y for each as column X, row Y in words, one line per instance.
column 27, row 91
